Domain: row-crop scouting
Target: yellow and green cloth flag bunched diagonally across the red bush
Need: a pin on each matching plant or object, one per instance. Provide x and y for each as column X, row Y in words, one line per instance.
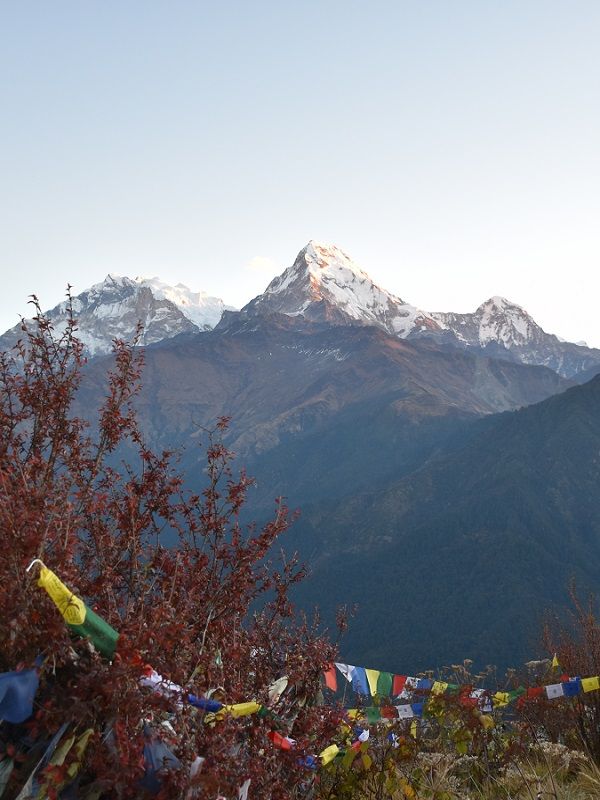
column 79, row 617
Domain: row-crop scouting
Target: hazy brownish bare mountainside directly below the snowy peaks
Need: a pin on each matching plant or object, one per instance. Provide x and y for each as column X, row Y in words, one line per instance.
column 282, row 379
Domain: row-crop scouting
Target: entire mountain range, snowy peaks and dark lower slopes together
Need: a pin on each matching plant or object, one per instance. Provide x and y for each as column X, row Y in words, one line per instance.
column 446, row 465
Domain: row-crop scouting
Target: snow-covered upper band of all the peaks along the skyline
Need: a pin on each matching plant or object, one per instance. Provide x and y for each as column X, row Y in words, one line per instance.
column 322, row 285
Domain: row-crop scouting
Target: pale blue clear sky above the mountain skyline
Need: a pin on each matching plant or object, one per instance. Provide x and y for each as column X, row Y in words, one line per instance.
column 452, row 148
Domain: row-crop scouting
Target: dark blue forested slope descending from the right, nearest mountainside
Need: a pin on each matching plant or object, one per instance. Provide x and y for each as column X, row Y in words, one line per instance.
column 460, row 558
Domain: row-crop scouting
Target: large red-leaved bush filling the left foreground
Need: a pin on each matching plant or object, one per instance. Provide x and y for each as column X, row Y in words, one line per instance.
column 210, row 613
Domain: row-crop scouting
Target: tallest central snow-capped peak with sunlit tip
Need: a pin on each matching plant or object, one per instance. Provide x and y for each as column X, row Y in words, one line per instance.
column 324, row 283
